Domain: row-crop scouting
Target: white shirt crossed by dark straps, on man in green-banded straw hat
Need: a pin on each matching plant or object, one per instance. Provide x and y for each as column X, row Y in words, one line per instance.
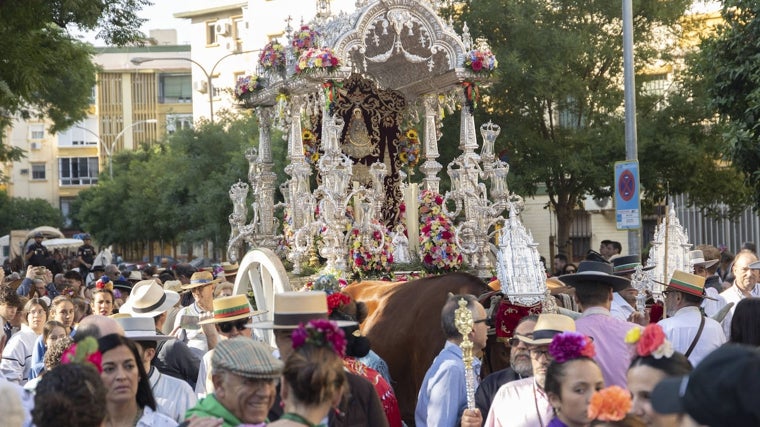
column 682, row 328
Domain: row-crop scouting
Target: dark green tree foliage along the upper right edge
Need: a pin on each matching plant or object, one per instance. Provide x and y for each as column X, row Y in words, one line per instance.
column 729, row 63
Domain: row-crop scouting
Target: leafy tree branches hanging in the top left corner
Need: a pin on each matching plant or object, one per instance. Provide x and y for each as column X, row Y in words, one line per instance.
column 47, row 72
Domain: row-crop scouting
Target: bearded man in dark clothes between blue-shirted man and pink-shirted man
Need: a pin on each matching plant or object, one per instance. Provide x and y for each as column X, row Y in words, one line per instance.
column 519, row 365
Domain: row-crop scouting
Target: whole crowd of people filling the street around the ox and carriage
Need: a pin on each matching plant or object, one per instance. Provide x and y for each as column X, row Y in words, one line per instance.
column 94, row 346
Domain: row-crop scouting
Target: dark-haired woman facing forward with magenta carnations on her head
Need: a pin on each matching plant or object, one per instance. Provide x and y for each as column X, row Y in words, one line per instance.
column 571, row 379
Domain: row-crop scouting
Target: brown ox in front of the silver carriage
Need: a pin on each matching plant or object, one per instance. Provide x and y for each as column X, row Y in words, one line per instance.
column 404, row 327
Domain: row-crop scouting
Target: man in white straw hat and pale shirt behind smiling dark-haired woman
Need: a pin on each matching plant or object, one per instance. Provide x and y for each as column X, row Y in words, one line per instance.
column 173, row 396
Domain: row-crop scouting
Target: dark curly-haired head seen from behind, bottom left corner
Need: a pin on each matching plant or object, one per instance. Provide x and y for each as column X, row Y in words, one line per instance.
column 70, row 395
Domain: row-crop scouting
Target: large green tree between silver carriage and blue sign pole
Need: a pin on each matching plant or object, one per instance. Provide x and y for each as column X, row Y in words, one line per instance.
column 558, row 91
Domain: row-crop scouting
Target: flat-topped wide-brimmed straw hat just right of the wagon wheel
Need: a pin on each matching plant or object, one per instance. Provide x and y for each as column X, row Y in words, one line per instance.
column 294, row 308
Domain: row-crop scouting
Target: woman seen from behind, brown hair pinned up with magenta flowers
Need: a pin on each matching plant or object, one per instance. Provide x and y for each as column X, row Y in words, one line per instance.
column 313, row 380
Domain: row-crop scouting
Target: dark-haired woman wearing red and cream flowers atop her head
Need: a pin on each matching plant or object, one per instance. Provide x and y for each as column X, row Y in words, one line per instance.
column 655, row 360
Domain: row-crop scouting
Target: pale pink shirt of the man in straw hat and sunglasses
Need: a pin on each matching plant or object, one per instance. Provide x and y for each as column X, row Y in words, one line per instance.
column 519, row 403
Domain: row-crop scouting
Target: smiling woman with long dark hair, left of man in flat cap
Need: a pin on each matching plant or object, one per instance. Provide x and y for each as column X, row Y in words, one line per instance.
column 129, row 399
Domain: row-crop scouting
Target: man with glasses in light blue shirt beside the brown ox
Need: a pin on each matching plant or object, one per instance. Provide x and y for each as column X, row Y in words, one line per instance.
column 443, row 395
